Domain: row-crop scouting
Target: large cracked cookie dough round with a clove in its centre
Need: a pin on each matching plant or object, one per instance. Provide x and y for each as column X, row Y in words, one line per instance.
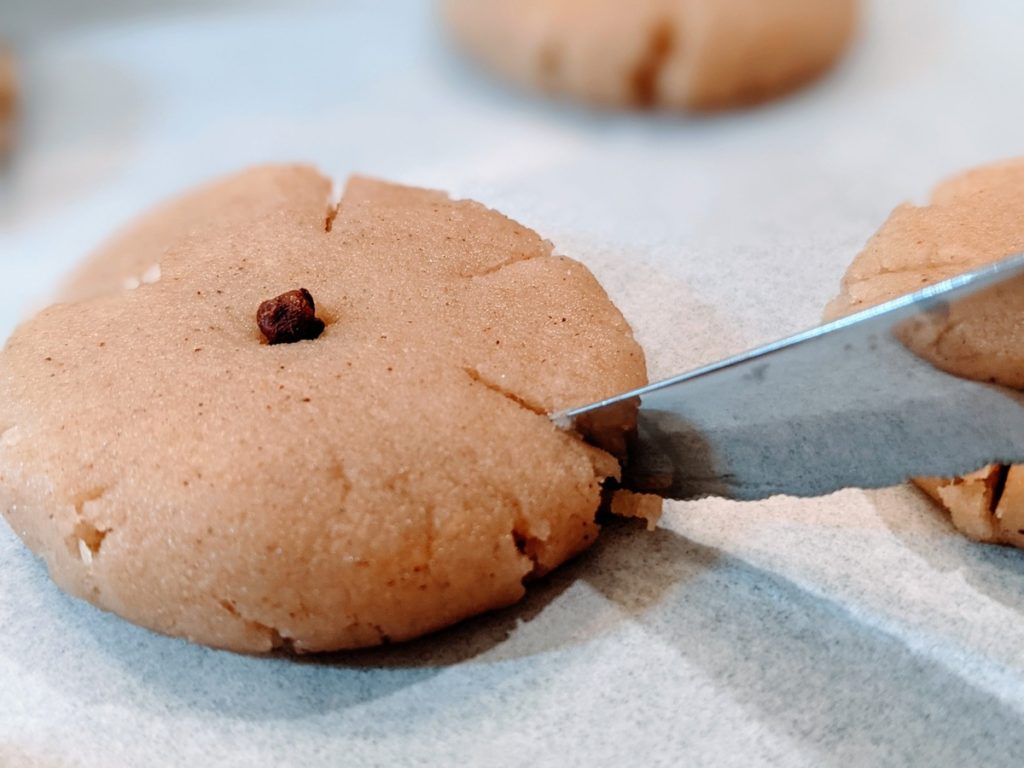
column 385, row 478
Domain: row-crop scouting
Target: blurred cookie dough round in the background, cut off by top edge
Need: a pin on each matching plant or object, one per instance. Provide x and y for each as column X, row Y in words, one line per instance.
column 679, row 55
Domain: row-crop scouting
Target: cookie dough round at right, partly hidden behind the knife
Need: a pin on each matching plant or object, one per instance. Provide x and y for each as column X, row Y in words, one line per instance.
column 972, row 221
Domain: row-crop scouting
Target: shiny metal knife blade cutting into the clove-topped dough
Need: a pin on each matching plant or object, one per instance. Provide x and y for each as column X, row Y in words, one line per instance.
column 851, row 404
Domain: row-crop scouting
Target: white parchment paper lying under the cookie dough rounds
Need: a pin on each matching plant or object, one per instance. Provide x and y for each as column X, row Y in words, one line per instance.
column 854, row 630
